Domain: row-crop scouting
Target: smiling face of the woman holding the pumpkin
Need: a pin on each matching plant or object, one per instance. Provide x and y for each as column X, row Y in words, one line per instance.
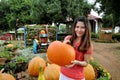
column 80, row 29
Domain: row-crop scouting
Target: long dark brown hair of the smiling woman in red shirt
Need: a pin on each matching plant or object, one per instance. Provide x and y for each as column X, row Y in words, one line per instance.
column 86, row 39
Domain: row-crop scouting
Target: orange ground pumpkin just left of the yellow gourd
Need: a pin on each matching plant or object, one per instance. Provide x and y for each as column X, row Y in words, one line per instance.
column 34, row 65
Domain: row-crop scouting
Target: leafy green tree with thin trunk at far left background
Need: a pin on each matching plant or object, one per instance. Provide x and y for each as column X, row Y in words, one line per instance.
column 18, row 14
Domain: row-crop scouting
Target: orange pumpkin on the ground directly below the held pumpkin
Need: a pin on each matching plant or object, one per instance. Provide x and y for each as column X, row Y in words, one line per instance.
column 52, row 72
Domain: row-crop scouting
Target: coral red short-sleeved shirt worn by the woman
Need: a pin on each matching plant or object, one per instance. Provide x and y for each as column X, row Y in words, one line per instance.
column 76, row 72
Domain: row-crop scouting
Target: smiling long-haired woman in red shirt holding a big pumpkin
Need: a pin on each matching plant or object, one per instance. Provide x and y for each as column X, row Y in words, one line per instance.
column 81, row 41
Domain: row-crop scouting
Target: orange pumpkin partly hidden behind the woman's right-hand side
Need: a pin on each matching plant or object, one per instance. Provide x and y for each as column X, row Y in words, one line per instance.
column 89, row 72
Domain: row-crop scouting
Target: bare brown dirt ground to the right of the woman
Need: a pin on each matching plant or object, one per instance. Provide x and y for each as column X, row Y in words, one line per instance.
column 108, row 55
